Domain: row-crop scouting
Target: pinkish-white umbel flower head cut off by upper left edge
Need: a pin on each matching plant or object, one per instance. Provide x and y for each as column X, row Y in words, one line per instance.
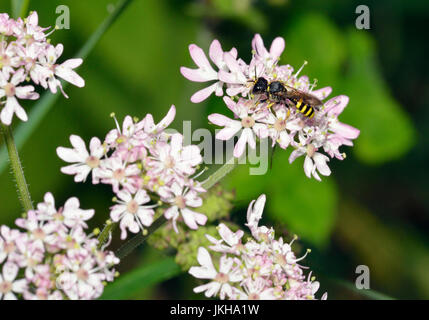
column 27, row 57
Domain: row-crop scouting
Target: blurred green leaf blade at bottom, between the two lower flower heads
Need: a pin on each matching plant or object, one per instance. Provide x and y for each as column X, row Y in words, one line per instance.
column 140, row 278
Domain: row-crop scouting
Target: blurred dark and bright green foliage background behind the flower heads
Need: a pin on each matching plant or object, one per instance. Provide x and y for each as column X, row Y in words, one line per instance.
column 373, row 209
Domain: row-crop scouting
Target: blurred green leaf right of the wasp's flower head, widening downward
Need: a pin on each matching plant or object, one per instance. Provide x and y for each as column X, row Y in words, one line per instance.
column 387, row 132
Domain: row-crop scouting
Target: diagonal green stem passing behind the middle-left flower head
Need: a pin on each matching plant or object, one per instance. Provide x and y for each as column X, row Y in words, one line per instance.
column 137, row 240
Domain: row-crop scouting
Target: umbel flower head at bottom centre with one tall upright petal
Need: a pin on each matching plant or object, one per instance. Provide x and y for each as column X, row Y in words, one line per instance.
column 262, row 268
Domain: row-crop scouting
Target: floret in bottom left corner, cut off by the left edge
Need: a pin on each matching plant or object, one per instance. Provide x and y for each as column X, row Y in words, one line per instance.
column 9, row 286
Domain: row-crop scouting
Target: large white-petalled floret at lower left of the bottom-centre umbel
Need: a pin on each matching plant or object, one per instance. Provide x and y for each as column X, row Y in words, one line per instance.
column 228, row 272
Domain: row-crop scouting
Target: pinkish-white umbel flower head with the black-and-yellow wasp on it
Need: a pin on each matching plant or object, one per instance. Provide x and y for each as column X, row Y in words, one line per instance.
column 256, row 116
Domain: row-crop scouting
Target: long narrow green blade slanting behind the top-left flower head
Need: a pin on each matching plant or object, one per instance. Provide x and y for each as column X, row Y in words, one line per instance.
column 42, row 107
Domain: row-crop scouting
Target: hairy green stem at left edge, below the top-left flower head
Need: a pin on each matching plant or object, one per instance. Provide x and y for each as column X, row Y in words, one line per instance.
column 18, row 172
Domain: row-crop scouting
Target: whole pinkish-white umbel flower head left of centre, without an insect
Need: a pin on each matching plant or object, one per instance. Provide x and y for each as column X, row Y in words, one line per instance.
column 147, row 168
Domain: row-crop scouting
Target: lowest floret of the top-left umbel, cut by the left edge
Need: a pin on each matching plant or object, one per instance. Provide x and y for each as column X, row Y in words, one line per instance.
column 12, row 91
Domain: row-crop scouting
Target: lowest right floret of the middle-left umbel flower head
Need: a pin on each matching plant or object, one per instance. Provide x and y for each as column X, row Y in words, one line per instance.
column 180, row 199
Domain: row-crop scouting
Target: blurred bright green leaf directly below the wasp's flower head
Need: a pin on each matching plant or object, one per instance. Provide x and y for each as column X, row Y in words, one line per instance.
column 306, row 206
